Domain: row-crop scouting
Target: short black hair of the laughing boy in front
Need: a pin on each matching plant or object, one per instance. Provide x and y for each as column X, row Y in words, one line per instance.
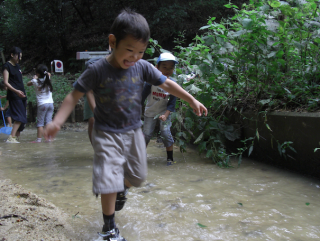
column 130, row 22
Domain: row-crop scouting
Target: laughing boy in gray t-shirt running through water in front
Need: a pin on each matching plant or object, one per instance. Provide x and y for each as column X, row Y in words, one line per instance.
column 120, row 159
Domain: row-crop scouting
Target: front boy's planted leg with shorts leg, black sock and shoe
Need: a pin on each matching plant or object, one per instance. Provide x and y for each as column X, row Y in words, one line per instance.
column 108, row 177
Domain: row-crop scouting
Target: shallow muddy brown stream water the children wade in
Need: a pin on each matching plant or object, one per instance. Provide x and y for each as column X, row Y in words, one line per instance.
column 191, row 200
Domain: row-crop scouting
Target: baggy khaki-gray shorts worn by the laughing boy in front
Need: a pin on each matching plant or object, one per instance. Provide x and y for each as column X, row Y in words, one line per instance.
column 118, row 156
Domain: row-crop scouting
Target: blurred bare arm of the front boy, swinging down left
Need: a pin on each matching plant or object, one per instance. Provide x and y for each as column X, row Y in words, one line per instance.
column 65, row 110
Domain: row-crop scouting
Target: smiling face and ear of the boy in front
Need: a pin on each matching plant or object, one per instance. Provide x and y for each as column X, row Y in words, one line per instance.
column 127, row 52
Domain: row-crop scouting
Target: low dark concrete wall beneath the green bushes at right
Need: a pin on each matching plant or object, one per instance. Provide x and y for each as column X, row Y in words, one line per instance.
column 303, row 129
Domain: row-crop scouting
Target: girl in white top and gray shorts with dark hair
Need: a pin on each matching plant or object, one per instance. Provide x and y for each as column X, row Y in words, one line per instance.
column 42, row 84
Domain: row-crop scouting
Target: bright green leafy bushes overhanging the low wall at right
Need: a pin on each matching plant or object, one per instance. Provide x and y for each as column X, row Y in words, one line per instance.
column 264, row 57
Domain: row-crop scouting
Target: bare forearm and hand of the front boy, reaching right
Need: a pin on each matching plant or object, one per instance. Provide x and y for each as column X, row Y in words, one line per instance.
column 175, row 89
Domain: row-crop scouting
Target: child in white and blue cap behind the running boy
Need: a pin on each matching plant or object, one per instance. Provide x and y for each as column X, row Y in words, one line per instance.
column 160, row 102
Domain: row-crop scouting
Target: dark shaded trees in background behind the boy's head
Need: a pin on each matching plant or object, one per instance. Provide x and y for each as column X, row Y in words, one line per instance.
column 57, row 29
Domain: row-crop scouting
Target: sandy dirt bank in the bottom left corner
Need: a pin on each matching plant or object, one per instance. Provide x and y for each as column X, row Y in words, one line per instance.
column 25, row 216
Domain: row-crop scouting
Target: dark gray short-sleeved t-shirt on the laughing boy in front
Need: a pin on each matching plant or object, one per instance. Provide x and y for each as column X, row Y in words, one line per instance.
column 117, row 93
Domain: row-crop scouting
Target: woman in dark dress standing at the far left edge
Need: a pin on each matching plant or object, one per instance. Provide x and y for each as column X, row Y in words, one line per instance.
column 16, row 93
